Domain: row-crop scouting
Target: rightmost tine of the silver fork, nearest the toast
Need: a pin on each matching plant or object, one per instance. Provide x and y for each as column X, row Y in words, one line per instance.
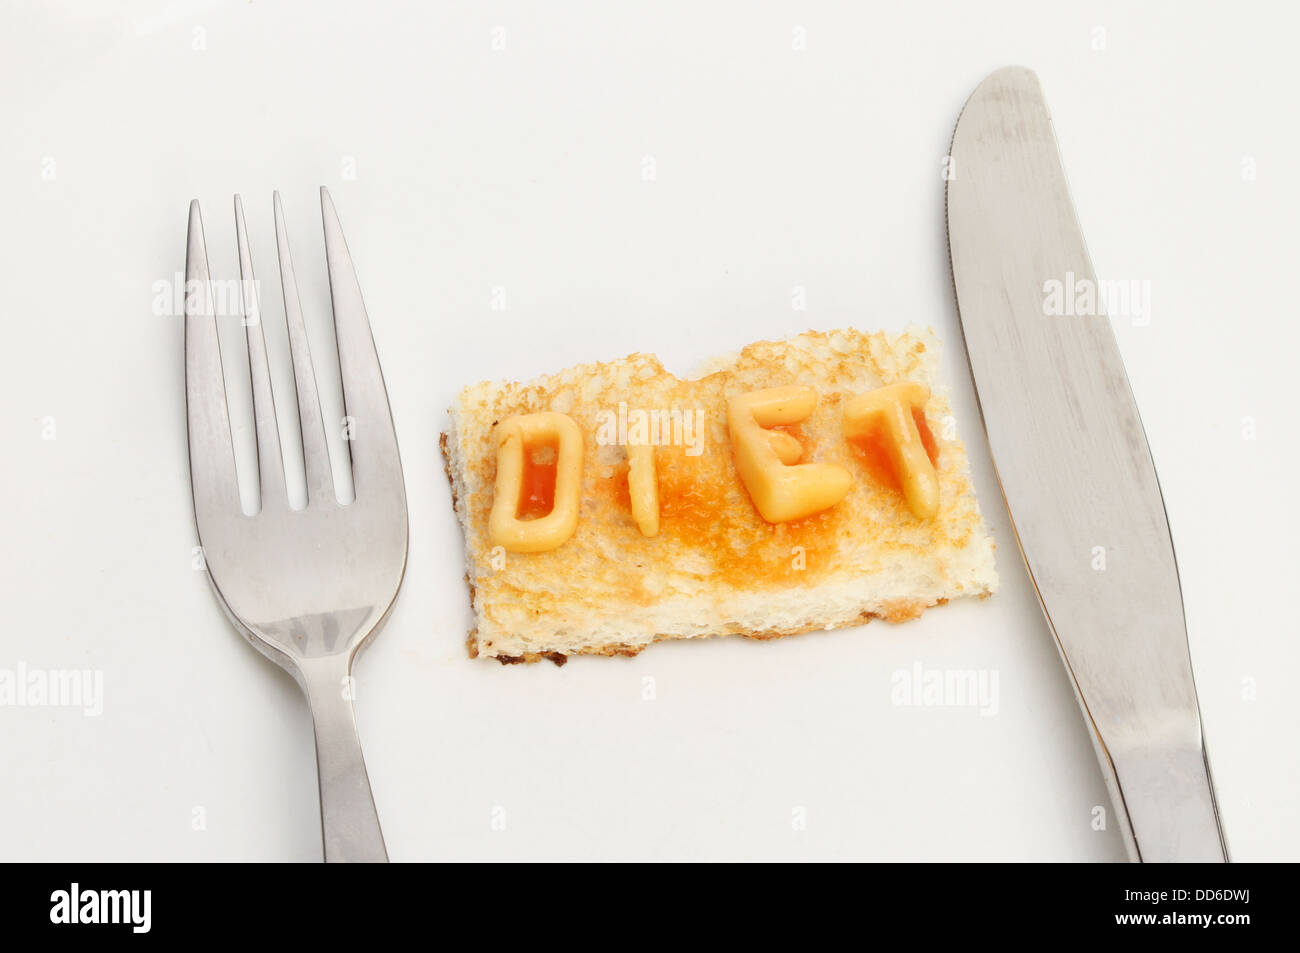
column 374, row 443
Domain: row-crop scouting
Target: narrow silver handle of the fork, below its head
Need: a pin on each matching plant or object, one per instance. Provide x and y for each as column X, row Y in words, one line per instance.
column 349, row 821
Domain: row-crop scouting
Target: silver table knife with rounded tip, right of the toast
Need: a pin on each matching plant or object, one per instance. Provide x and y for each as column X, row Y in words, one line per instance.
column 1074, row 467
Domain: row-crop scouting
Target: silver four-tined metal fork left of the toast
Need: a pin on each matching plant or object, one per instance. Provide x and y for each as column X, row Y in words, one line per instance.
column 307, row 588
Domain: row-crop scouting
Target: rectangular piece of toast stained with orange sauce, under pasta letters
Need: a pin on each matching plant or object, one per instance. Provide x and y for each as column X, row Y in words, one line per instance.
column 716, row 568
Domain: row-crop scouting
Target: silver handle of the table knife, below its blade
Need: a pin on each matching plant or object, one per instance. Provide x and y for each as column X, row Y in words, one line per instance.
column 1165, row 800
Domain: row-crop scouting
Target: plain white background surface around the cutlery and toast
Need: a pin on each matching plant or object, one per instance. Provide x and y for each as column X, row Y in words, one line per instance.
column 521, row 168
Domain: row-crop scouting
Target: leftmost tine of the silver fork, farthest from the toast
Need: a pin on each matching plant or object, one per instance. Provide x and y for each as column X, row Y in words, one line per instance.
column 213, row 457
